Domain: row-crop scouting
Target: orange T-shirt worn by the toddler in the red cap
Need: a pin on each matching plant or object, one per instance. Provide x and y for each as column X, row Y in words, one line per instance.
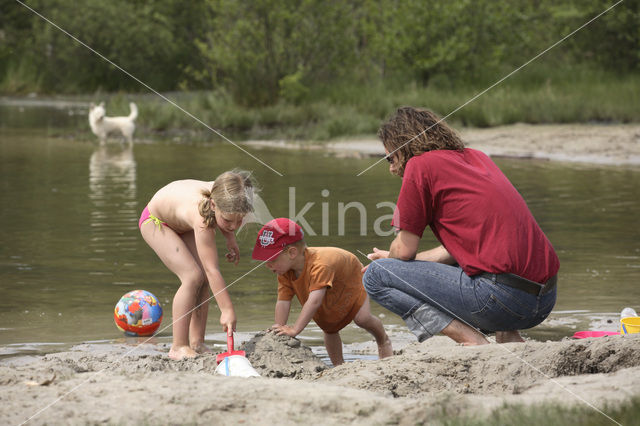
column 339, row 271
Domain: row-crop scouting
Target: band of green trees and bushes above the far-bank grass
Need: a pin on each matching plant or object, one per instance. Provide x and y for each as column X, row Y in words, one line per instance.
column 265, row 50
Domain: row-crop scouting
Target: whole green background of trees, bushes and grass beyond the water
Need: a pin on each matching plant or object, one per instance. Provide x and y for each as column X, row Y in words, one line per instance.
column 347, row 64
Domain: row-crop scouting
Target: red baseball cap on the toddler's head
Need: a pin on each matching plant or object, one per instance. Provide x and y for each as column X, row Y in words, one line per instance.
column 275, row 236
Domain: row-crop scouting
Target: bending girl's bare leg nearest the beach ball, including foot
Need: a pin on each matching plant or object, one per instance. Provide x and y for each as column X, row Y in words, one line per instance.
column 176, row 256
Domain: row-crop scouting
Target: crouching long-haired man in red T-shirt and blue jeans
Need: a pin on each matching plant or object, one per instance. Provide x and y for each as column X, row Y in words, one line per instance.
column 495, row 270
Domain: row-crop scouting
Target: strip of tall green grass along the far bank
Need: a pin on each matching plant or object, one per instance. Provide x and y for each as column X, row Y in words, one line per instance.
column 535, row 95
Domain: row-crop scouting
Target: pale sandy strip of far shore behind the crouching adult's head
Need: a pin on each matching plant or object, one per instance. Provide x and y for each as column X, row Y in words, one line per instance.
column 615, row 144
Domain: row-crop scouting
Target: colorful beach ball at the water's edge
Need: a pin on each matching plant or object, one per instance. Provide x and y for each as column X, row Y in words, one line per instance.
column 138, row 313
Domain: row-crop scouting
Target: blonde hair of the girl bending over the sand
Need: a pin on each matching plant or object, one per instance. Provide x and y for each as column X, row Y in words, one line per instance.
column 232, row 192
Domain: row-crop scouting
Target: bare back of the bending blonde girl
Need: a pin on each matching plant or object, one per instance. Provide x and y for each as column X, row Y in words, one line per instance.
column 177, row 203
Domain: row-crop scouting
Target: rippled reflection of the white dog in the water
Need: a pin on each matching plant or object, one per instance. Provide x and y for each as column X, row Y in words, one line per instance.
column 114, row 212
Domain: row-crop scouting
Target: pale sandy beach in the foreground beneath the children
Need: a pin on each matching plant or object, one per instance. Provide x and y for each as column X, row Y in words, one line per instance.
column 86, row 385
